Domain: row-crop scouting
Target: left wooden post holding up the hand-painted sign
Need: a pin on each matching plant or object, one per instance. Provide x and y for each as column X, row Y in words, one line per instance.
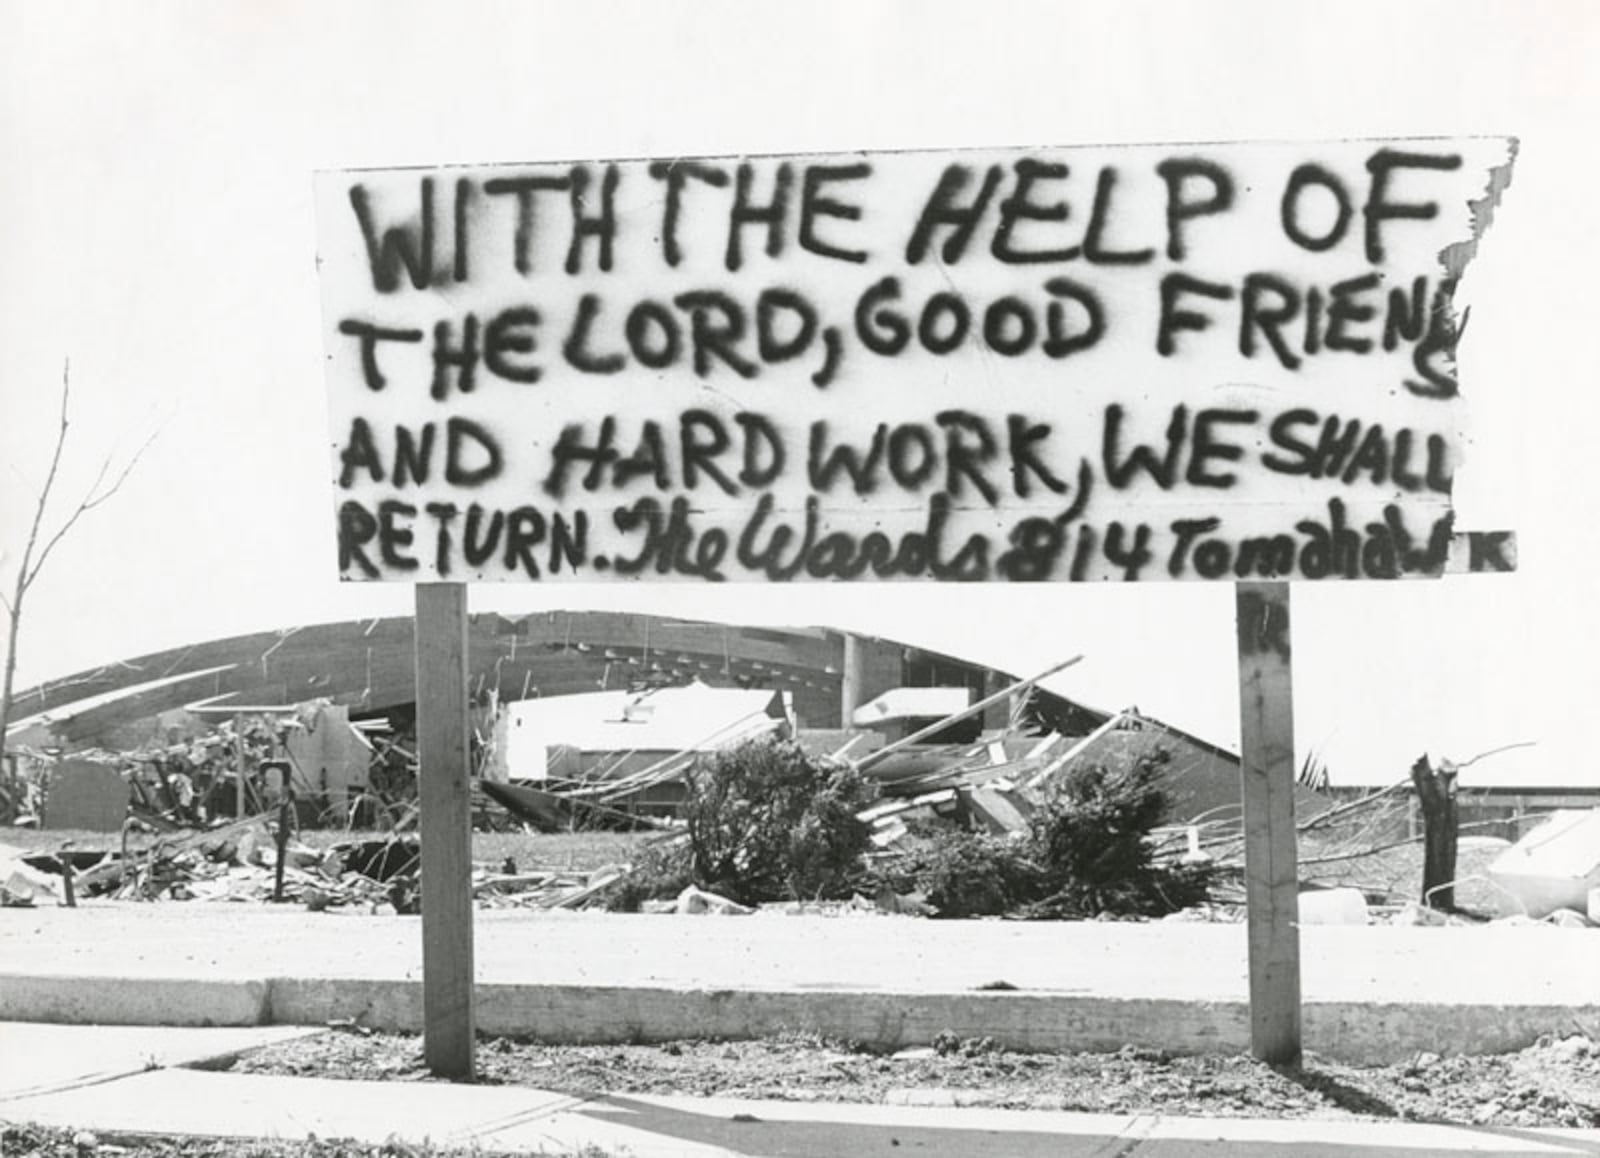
column 446, row 799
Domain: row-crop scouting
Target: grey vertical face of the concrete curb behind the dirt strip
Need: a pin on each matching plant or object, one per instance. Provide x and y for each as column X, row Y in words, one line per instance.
column 1030, row 1021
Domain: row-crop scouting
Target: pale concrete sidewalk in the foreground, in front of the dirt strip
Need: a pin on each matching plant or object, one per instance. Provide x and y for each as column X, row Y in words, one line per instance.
column 505, row 1119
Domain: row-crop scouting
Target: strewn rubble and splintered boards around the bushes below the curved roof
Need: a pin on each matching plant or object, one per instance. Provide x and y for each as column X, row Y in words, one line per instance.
column 226, row 807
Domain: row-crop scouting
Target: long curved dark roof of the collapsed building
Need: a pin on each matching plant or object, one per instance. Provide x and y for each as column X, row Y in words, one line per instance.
column 369, row 666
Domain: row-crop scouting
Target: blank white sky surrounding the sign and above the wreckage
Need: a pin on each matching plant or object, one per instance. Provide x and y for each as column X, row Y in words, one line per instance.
column 156, row 226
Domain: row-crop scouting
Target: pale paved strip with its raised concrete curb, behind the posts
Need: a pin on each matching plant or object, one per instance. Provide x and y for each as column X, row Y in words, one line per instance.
column 1370, row 994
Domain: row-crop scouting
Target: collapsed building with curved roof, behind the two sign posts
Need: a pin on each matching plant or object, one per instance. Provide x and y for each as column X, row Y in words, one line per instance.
column 618, row 705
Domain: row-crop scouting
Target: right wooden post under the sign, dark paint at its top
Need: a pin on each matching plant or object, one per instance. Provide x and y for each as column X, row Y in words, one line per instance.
column 1268, row 788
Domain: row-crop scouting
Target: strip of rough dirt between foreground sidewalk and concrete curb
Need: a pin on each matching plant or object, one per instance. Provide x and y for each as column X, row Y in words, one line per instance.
column 1554, row 1084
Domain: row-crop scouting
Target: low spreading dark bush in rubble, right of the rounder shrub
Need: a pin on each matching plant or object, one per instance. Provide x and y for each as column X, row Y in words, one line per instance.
column 1087, row 853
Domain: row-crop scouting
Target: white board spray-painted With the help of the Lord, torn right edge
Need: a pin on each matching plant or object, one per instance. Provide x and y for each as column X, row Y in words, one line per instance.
column 1193, row 362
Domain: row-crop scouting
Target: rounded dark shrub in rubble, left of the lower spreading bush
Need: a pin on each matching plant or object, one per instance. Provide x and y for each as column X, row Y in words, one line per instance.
column 769, row 823
